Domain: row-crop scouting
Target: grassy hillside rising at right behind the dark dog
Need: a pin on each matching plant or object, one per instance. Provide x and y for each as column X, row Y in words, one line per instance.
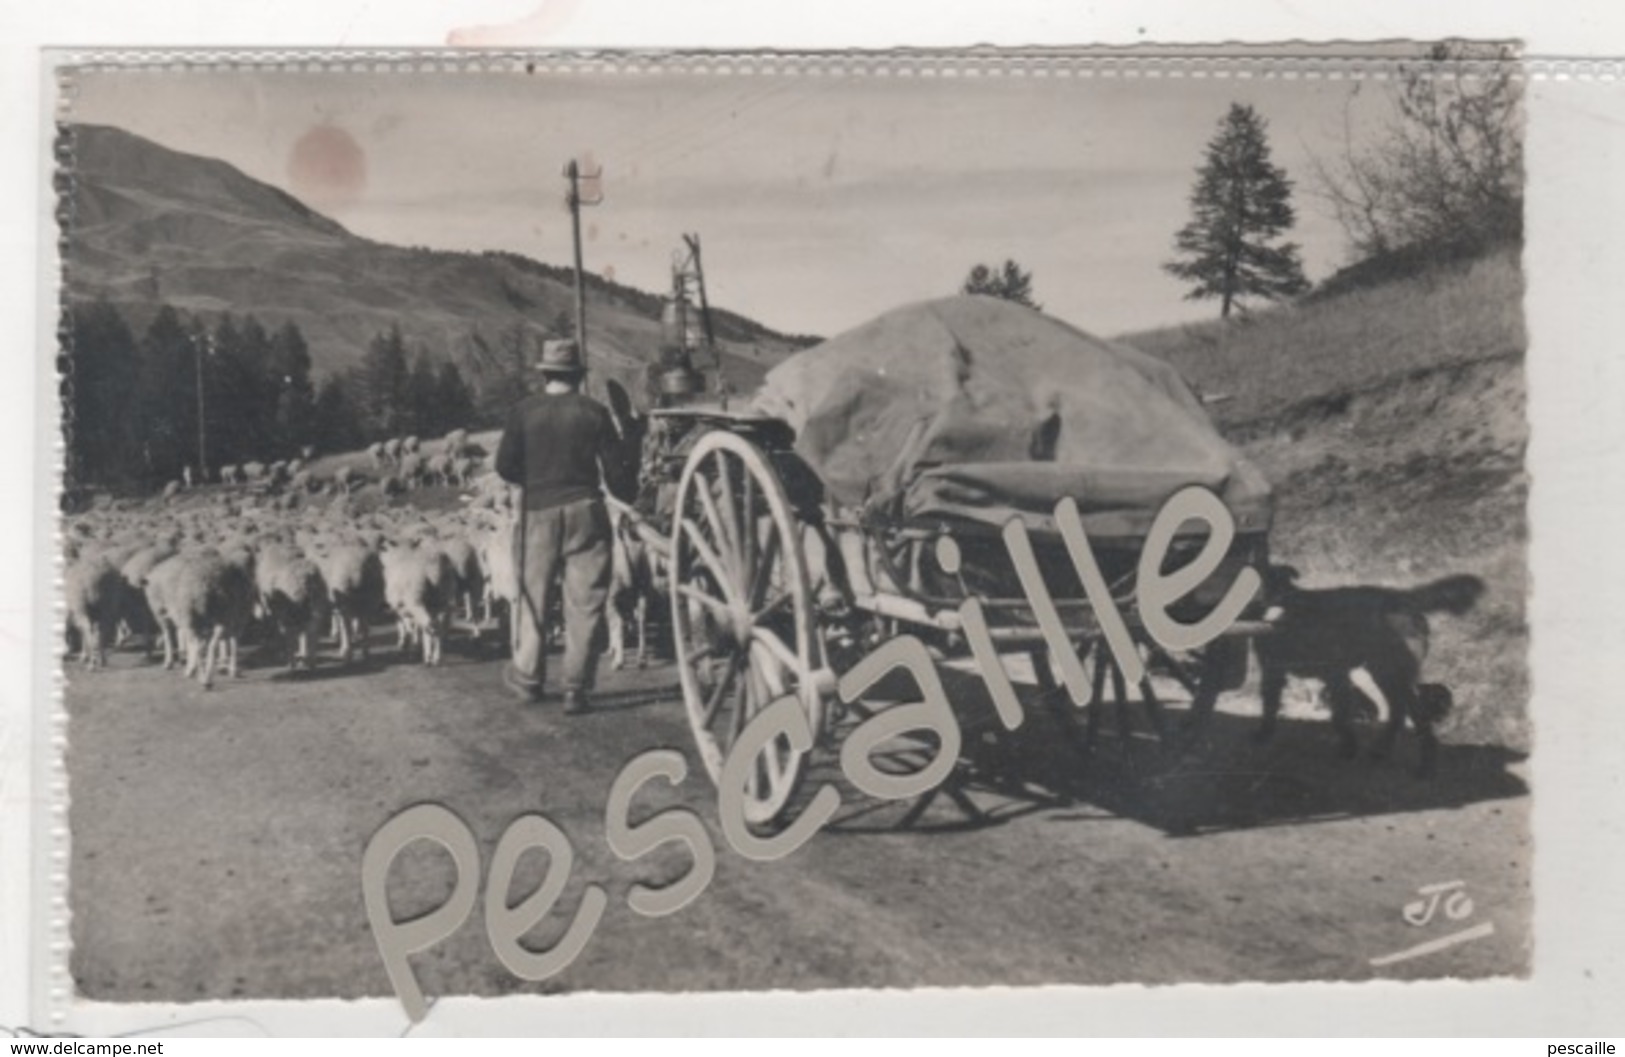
column 1392, row 424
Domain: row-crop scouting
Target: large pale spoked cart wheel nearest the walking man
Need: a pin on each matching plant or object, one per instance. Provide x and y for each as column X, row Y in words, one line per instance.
column 742, row 612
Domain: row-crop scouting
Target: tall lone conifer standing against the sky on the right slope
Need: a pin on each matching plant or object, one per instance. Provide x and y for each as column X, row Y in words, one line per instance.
column 1242, row 204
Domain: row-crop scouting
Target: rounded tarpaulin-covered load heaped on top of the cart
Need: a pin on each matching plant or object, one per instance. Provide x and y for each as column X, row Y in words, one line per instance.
column 981, row 409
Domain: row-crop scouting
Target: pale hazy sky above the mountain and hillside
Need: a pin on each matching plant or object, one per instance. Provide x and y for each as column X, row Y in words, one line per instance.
column 820, row 201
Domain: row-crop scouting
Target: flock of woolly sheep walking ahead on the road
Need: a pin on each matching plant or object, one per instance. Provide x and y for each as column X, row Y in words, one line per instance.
column 193, row 580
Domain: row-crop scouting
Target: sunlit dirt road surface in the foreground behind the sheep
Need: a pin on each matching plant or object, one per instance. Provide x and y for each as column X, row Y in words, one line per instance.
column 219, row 840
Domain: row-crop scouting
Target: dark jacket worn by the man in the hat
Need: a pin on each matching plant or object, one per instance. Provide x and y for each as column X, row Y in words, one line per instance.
column 557, row 448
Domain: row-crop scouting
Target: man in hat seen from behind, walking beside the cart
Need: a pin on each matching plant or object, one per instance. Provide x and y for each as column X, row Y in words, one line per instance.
column 560, row 446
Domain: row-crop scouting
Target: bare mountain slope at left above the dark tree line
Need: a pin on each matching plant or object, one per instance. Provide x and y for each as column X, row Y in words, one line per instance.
column 149, row 225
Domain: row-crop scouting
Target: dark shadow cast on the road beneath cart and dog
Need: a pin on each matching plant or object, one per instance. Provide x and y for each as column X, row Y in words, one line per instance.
column 1221, row 783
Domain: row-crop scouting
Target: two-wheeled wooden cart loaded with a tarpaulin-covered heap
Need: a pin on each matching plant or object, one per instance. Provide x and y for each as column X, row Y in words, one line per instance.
column 872, row 489
